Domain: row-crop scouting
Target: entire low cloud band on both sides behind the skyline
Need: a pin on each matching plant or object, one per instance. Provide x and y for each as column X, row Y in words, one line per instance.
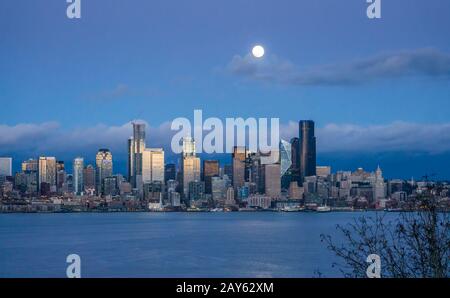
column 30, row 140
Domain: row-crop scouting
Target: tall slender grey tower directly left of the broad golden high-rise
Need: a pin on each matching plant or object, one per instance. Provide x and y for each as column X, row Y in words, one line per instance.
column 136, row 147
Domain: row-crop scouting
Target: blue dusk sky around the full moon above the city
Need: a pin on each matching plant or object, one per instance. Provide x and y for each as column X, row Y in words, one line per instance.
column 158, row 60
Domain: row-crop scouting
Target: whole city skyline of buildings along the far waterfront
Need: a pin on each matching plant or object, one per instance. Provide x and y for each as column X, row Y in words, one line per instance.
column 291, row 182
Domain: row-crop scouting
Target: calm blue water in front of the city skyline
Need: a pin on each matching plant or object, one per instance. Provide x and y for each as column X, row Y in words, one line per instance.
column 258, row 244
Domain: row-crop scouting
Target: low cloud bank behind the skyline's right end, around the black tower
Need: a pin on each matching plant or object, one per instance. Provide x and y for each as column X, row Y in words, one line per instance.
column 394, row 137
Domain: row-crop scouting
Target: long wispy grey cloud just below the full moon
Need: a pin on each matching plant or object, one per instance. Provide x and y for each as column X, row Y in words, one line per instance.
column 419, row 62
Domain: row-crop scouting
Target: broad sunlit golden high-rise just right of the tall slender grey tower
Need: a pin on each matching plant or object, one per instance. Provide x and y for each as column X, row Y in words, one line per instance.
column 153, row 165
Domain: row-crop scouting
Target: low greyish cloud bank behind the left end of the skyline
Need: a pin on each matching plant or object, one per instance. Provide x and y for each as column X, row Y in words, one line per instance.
column 31, row 140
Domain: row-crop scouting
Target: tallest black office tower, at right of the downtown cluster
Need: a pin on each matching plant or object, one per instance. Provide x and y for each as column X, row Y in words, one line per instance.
column 307, row 149
